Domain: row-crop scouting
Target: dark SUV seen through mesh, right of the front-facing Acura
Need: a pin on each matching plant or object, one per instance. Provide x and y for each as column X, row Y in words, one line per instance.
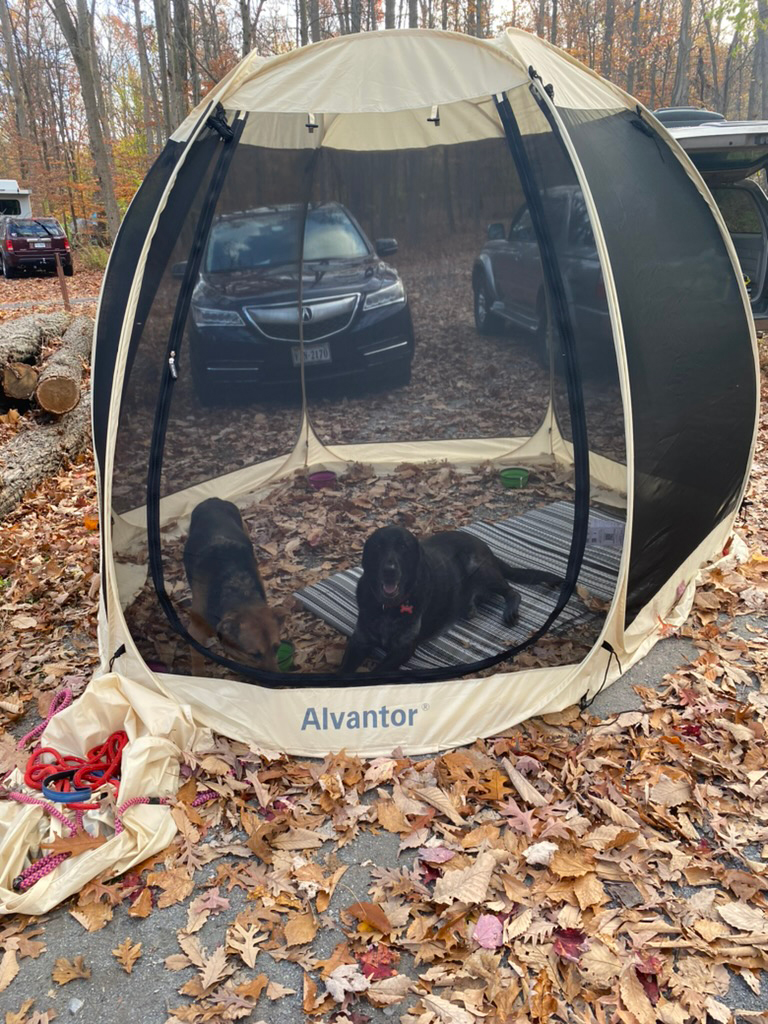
column 508, row 279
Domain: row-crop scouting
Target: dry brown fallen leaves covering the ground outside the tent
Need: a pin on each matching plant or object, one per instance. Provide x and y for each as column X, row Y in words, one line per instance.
column 572, row 870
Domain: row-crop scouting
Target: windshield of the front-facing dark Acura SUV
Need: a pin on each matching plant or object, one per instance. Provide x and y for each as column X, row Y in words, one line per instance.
column 271, row 238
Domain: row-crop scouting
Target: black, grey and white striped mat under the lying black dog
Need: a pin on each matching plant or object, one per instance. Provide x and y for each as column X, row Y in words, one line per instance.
column 539, row 539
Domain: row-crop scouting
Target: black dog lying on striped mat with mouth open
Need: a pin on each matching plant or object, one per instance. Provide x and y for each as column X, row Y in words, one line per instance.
column 411, row 590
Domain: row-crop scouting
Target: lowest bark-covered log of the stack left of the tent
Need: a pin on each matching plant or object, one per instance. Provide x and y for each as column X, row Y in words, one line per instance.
column 32, row 456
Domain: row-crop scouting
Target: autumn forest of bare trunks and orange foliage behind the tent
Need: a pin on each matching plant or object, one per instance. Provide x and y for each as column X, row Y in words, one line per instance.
column 92, row 90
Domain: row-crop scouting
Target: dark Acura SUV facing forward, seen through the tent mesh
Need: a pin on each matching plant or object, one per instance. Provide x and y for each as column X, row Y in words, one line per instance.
column 246, row 320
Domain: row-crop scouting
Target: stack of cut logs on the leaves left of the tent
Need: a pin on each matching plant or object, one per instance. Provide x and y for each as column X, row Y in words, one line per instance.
column 47, row 378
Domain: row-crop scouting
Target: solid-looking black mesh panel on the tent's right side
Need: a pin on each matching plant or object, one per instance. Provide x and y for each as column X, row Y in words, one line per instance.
column 689, row 349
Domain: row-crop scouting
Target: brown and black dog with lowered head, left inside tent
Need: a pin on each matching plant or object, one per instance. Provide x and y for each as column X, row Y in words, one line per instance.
column 229, row 599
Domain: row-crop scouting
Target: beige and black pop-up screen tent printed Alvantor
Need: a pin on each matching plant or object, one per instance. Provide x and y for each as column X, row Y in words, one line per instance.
column 364, row 279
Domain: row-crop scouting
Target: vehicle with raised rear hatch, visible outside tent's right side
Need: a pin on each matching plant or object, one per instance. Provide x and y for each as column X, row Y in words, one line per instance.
column 728, row 154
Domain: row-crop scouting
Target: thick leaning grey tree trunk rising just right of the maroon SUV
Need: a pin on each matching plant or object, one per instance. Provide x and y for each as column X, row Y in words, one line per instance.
column 79, row 35
